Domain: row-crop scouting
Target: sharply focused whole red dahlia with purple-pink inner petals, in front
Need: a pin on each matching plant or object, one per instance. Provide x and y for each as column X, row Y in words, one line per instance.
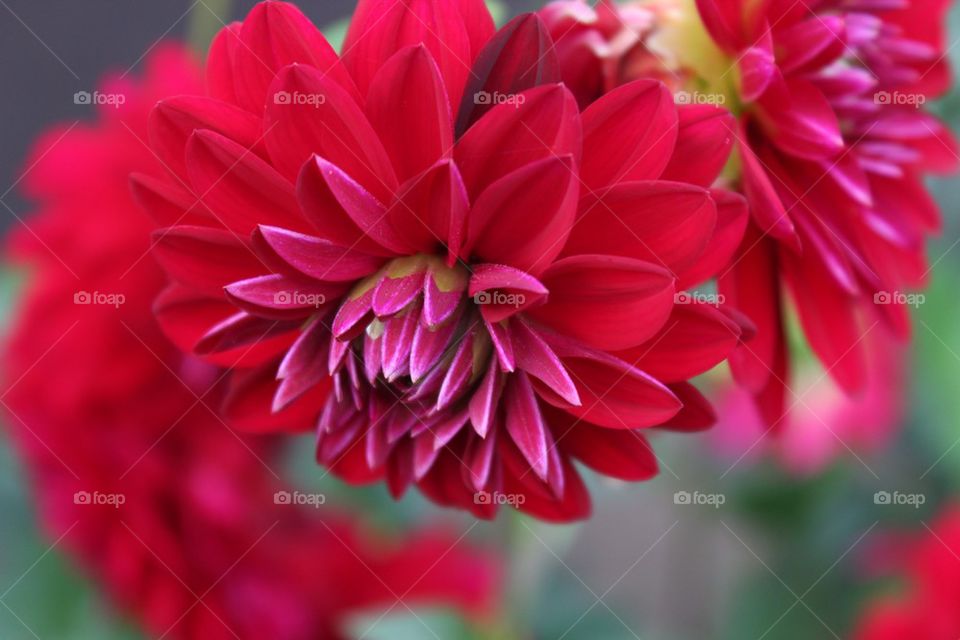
column 485, row 275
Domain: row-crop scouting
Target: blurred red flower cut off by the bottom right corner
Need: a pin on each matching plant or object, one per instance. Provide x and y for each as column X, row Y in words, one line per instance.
column 925, row 608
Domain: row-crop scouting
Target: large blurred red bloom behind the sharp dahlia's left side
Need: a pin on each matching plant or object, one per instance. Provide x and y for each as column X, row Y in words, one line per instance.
column 174, row 513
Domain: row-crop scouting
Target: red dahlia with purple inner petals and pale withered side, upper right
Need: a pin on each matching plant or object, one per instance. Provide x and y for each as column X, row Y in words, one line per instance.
column 833, row 143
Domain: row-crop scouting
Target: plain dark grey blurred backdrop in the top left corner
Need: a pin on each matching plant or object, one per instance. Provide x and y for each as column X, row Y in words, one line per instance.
column 52, row 48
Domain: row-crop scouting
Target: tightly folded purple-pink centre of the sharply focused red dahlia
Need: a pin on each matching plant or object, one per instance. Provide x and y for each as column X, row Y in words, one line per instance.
column 409, row 347
